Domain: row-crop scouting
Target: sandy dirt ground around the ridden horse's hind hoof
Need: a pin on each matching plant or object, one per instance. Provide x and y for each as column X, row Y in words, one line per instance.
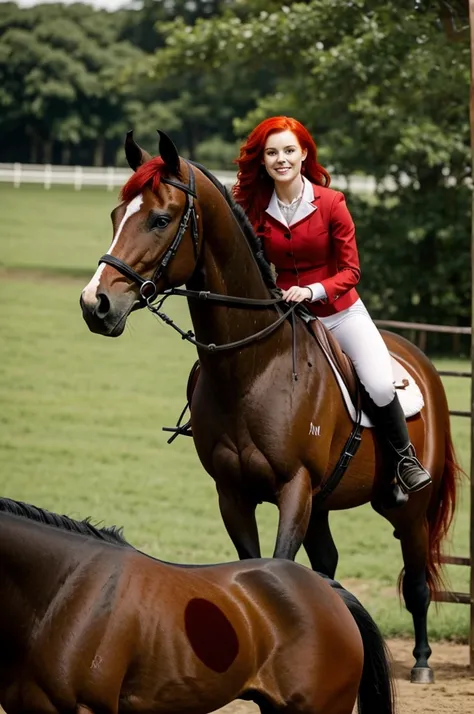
column 452, row 692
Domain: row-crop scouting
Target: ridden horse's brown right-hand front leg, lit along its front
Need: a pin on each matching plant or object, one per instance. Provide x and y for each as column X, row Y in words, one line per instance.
column 294, row 503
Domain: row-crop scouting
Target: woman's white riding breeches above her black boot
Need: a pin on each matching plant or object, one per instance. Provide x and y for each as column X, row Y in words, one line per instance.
column 360, row 339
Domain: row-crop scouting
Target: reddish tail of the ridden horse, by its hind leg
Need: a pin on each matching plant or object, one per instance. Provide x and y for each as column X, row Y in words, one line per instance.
column 440, row 513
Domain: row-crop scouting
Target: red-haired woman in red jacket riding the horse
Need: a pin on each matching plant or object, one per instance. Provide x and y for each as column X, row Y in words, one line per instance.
column 309, row 236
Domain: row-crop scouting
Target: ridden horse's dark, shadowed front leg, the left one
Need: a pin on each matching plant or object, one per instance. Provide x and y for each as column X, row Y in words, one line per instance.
column 239, row 519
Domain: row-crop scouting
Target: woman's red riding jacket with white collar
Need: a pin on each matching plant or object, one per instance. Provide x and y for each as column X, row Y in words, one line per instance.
column 318, row 247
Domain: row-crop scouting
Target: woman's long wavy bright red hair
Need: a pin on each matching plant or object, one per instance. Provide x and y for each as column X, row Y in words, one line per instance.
column 254, row 186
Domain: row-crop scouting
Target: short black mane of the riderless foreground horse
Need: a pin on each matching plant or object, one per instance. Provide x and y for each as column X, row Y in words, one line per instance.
column 110, row 534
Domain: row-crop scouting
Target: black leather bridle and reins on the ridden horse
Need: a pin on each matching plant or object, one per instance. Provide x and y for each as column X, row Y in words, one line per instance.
column 149, row 290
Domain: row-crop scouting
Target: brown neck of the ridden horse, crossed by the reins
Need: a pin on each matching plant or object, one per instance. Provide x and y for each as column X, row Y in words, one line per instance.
column 228, row 267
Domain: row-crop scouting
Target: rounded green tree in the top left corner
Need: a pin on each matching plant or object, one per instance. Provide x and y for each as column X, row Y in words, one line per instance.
column 59, row 75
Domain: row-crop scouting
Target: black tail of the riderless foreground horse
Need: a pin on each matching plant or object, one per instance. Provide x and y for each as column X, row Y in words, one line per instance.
column 376, row 689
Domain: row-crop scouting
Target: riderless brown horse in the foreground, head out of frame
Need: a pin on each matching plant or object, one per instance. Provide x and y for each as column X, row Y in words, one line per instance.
column 89, row 624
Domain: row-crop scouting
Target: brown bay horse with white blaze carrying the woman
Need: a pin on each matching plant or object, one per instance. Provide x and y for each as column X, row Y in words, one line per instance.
column 250, row 418
